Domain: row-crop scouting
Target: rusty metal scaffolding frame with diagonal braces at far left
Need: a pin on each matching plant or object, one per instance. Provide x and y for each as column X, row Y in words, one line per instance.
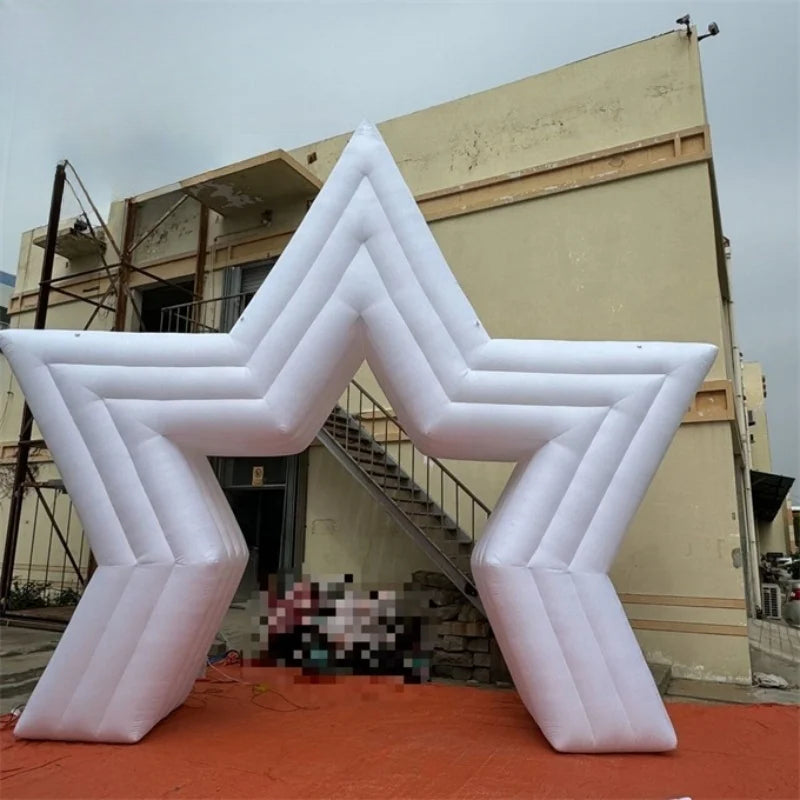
column 118, row 276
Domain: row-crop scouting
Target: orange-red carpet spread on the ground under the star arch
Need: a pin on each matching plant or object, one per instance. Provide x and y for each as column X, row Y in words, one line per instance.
column 361, row 739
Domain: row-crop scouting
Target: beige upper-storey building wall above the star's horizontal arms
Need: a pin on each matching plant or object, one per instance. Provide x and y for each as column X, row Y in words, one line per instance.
column 573, row 204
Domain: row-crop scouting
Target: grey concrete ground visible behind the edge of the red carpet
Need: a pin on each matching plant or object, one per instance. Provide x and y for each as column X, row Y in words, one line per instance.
column 24, row 653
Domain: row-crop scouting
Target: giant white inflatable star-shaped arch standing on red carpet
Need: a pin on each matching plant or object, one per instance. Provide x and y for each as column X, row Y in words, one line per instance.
column 130, row 419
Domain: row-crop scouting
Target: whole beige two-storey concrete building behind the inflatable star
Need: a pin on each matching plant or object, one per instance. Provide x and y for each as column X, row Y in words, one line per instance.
column 575, row 204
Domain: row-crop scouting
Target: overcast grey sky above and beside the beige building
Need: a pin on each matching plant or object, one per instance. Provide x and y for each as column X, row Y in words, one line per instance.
column 139, row 94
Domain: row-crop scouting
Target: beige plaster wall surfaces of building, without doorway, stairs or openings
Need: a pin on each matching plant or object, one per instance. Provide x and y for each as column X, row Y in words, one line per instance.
column 592, row 258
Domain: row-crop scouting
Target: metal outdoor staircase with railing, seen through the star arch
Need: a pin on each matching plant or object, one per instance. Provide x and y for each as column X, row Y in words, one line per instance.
column 421, row 495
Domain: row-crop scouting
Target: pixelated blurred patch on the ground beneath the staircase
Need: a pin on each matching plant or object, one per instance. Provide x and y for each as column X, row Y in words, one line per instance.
column 330, row 626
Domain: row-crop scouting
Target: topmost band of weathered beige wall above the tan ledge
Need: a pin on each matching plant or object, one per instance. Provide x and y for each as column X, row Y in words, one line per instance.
column 625, row 95
